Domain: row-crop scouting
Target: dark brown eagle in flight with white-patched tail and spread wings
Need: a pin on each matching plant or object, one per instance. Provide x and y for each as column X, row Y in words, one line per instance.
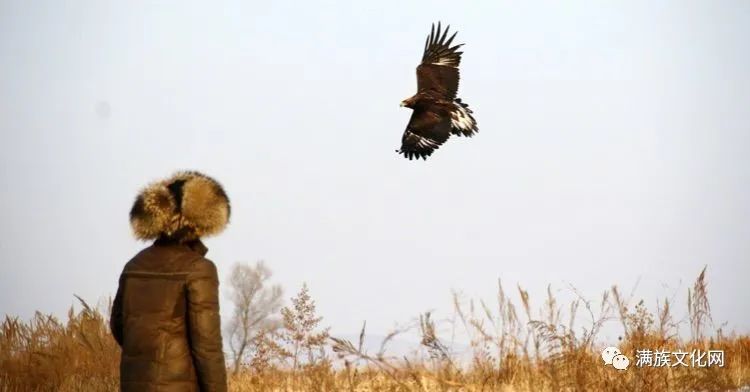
column 437, row 112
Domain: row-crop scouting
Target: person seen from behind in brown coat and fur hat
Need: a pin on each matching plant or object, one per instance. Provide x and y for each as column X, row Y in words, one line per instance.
column 165, row 315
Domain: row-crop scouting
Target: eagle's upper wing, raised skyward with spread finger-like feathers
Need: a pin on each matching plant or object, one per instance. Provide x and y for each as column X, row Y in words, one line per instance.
column 438, row 71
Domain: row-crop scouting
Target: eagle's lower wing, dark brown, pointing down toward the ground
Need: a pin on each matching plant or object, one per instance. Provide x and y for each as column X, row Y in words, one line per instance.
column 424, row 134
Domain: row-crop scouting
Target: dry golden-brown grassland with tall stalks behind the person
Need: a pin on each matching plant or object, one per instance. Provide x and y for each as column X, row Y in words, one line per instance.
column 513, row 348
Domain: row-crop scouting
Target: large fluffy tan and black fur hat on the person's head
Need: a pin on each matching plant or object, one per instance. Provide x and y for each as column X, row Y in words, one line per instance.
column 184, row 207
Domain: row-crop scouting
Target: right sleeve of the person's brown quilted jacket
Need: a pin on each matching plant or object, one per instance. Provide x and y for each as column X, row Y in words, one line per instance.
column 205, row 326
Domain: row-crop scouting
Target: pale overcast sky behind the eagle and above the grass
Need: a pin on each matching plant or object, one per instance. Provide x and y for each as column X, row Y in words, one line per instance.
column 613, row 147
